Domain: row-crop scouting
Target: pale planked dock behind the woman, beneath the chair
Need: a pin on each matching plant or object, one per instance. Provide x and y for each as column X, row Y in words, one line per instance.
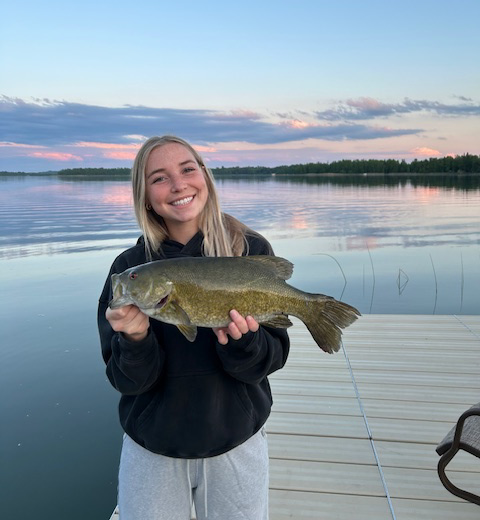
column 352, row 436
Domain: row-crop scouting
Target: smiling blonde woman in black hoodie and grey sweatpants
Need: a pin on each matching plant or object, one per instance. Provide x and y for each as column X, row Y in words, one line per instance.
column 193, row 413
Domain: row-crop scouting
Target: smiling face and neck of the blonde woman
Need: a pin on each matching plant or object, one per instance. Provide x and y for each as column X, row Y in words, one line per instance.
column 176, row 189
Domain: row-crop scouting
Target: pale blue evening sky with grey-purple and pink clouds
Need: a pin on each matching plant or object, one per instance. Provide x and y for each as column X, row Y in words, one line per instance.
column 247, row 83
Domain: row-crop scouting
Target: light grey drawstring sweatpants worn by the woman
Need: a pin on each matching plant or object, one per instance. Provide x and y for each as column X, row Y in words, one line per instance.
column 232, row 486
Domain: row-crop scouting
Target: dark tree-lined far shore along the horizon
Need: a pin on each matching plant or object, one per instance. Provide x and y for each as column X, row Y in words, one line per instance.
column 458, row 165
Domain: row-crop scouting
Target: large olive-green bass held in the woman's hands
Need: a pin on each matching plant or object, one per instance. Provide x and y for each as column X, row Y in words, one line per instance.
column 192, row 292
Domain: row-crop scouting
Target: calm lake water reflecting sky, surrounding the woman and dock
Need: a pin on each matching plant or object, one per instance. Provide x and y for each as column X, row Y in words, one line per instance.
column 408, row 246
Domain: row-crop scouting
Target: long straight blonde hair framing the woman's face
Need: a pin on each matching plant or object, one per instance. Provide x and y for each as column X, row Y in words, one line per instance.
column 223, row 234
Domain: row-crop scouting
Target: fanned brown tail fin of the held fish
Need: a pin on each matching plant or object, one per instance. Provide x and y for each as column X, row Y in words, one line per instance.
column 324, row 318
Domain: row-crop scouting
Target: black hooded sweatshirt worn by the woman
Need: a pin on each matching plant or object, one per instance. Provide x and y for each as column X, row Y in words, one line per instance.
column 183, row 399
